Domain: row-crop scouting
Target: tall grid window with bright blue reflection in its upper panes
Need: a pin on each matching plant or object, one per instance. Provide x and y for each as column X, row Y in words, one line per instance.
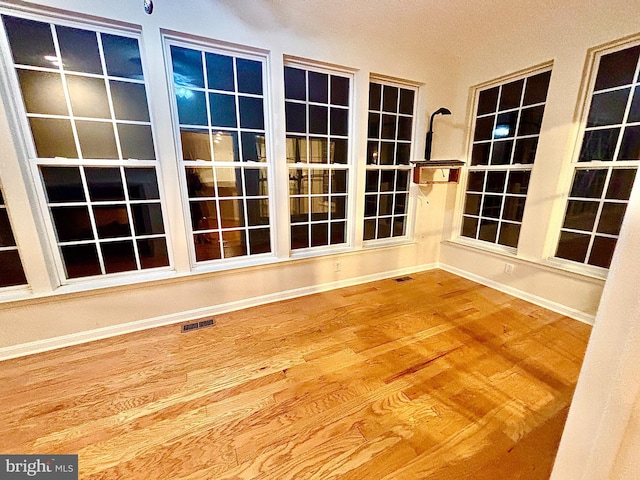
column 220, row 104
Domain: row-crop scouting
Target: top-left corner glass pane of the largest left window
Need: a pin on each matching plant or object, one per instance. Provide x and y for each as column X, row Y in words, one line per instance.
column 30, row 41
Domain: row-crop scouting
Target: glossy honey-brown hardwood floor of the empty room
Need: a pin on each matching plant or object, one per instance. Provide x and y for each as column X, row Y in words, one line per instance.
column 431, row 378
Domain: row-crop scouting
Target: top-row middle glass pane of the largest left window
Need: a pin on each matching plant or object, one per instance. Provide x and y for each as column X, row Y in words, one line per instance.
column 79, row 50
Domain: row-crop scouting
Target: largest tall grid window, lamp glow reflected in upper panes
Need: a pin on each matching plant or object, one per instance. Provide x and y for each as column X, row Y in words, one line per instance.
column 86, row 105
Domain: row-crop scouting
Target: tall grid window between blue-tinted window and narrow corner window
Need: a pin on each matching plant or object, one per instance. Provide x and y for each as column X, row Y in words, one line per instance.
column 317, row 124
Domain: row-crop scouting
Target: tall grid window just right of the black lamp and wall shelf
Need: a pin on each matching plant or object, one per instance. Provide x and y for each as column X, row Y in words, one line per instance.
column 505, row 139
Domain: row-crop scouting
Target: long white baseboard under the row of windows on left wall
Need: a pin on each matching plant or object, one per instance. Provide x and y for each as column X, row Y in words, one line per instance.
column 30, row 348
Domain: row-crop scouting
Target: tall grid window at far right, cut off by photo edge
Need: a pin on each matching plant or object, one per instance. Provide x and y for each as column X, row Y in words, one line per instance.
column 607, row 163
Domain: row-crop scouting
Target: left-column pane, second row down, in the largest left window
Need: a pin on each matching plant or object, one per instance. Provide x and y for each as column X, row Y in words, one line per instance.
column 42, row 92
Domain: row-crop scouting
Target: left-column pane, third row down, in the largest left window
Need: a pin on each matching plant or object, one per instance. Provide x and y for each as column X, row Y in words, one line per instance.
column 53, row 138
